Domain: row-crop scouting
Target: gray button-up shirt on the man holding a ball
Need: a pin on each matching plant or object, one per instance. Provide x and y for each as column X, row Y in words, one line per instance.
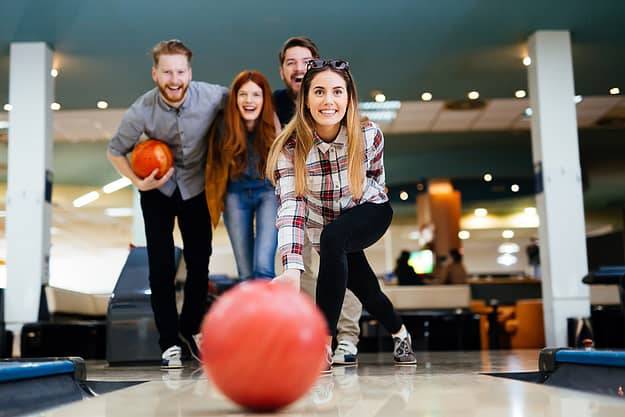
column 184, row 130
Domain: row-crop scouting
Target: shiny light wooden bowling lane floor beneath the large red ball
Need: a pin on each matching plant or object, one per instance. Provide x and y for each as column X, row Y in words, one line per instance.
column 444, row 384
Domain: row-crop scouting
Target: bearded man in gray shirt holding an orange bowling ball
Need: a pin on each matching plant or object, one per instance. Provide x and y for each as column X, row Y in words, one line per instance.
column 179, row 112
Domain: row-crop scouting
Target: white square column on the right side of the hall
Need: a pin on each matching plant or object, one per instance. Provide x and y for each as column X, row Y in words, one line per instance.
column 559, row 196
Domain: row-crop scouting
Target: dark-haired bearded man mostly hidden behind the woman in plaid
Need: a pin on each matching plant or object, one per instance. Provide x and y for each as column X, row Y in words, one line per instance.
column 294, row 57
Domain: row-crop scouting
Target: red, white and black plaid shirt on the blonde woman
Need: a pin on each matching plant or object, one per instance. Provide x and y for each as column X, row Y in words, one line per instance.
column 328, row 193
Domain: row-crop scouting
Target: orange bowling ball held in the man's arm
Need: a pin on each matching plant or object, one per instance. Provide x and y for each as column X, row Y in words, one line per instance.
column 149, row 155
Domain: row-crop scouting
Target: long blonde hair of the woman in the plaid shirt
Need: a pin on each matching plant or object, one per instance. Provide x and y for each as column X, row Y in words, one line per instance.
column 301, row 127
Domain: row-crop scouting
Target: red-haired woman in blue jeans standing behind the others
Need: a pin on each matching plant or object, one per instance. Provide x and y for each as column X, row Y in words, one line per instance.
column 235, row 175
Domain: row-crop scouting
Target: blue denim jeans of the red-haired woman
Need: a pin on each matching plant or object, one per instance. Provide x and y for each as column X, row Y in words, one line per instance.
column 254, row 252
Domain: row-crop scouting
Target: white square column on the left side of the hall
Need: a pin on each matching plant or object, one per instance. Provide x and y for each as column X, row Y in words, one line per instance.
column 29, row 182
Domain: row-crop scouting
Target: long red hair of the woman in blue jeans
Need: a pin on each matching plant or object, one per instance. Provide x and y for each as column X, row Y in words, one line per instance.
column 235, row 138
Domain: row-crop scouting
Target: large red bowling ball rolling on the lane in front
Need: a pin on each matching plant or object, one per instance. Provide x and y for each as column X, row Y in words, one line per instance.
column 263, row 345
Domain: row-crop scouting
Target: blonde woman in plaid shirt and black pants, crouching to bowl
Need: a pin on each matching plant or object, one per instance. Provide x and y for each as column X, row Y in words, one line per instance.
column 329, row 175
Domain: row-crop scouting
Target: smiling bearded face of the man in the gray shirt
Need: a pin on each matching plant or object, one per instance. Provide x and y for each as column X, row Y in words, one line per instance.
column 172, row 76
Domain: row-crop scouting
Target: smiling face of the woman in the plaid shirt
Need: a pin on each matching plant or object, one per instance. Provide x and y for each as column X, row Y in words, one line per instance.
column 327, row 100
